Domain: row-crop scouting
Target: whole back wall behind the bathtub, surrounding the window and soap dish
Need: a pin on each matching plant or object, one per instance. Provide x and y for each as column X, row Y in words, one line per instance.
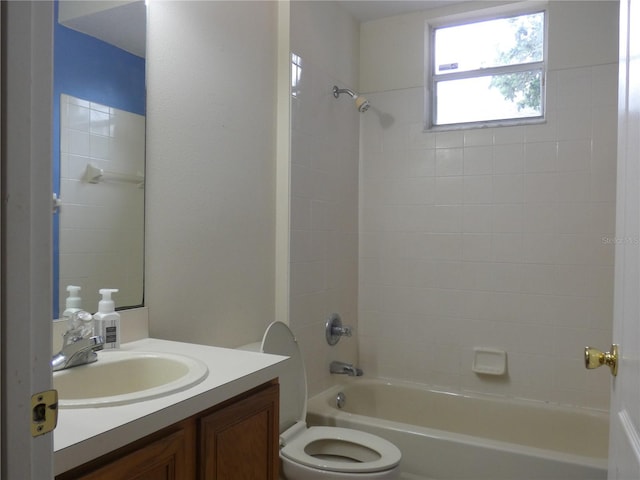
column 490, row 237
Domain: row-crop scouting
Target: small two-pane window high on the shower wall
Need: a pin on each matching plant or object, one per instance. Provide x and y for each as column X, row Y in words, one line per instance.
column 488, row 73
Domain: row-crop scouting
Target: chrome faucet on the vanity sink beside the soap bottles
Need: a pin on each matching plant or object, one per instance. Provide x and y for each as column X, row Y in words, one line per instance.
column 79, row 345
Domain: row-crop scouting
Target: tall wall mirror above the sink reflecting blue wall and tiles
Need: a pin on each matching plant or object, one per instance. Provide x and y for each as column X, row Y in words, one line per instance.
column 99, row 143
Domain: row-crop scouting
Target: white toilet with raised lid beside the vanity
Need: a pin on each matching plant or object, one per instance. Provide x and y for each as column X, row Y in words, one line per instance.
column 318, row 453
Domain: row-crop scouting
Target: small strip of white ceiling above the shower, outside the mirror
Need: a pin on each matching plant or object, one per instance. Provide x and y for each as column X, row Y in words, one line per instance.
column 366, row 10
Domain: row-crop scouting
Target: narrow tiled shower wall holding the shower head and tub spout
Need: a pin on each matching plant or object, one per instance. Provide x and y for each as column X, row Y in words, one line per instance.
column 324, row 185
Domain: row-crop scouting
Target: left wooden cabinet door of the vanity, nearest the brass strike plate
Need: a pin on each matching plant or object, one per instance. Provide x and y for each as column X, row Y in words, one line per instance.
column 171, row 457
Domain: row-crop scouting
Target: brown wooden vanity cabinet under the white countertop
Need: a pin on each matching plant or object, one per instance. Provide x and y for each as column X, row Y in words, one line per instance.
column 235, row 440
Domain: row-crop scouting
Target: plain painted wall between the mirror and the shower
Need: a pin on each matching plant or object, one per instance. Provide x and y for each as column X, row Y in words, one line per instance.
column 210, row 170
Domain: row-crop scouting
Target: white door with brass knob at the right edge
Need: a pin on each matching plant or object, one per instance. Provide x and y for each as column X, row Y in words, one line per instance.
column 624, row 445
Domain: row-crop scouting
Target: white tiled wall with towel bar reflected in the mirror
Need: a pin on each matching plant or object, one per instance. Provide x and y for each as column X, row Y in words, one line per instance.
column 101, row 225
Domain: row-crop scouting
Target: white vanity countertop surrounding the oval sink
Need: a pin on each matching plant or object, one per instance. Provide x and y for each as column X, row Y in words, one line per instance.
column 83, row 434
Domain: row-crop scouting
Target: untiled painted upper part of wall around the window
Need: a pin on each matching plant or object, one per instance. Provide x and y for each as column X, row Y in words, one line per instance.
column 392, row 49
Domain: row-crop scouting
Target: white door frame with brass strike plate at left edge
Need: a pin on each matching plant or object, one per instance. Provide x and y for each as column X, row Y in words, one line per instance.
column 26, row 233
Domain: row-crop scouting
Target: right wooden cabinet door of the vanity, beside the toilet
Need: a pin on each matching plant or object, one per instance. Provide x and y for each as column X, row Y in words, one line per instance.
column 239, row 441
